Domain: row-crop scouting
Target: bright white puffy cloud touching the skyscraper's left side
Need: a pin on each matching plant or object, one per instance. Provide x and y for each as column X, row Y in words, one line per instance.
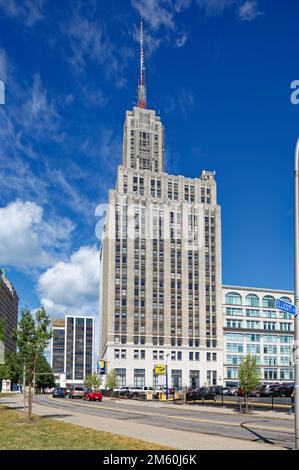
column 72, row 286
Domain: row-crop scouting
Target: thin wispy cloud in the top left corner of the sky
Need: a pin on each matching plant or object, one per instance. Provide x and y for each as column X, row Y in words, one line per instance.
column 27, row 11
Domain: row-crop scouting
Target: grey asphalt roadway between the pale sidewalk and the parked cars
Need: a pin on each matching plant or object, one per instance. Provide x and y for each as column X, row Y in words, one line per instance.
column 272, row 431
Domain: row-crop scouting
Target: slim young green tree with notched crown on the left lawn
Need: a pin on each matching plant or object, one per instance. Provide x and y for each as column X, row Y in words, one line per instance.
column 32, row 337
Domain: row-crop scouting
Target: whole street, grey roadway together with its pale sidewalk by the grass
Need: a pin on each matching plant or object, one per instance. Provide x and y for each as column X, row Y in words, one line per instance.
column 155, row 421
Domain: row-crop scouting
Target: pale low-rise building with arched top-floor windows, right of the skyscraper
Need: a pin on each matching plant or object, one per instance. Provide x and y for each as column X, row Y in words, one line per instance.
column 253, row 325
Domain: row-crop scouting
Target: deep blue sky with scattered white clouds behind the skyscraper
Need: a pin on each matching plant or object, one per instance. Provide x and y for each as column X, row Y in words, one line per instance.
column 219, row 74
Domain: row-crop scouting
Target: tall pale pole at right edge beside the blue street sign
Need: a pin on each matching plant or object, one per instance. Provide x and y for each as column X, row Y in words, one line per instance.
column 296, row 282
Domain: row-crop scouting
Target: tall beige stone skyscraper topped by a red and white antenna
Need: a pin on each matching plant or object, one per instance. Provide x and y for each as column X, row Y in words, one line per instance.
column 160, row 264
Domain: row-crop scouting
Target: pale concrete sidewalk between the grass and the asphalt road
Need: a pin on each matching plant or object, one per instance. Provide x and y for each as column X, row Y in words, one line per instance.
column 183, row 440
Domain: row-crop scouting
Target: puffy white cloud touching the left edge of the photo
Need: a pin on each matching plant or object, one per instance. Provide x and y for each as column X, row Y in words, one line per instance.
column 28, row 241
